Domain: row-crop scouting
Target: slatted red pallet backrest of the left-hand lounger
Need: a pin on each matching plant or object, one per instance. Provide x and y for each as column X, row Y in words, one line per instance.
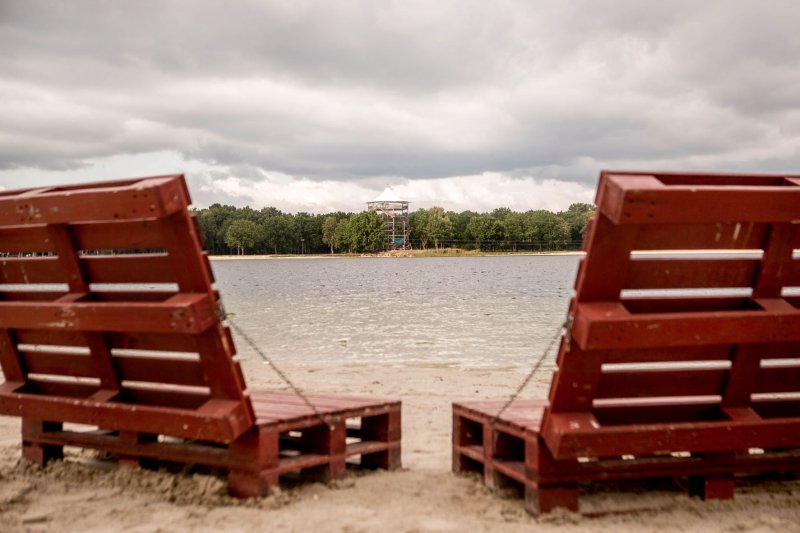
column 108, row 316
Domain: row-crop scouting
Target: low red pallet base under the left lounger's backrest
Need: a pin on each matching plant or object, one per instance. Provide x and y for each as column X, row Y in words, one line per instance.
column 288, row 438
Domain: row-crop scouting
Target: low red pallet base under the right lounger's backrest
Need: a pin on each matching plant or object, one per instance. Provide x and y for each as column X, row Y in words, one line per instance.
column 511, row 450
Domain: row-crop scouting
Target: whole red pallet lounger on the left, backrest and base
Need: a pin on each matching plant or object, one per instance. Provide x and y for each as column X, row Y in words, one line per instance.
column 111, row 338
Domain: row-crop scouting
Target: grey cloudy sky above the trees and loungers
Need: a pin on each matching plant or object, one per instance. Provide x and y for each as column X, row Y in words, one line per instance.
column 317, row 106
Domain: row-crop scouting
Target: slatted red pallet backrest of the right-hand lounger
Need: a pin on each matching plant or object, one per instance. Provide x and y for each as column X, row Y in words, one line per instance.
column 687, row 311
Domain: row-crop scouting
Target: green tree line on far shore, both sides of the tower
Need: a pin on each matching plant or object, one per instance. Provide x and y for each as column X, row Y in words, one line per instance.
column 231, row 230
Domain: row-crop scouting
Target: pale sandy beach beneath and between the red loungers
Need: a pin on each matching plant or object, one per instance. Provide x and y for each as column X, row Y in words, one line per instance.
column 85, row 493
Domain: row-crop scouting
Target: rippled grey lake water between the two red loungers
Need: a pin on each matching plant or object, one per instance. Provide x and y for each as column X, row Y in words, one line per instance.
column 466, row 312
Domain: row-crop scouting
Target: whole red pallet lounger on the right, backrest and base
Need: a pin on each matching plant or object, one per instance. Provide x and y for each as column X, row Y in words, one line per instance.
column 683, row 355
